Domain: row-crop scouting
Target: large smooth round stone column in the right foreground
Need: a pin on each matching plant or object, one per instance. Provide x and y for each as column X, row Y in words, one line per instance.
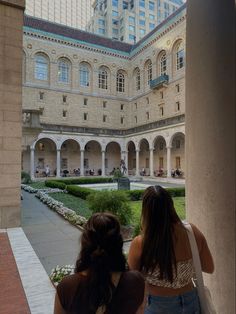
column 210, row 138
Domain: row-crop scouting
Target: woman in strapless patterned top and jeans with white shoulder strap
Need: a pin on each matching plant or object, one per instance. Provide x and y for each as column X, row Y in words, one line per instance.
column 163, row 254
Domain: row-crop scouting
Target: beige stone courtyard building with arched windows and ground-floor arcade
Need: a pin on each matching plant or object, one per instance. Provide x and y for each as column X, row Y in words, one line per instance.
column 100, row 101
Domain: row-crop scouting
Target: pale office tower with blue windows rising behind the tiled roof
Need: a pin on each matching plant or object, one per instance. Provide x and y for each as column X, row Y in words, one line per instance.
column 129, row 20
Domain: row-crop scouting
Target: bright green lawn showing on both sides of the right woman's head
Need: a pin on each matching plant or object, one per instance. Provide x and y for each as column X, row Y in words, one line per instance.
column 179, row 206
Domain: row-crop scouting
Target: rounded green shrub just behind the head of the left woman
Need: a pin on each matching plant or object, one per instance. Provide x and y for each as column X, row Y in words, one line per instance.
column 115, row 202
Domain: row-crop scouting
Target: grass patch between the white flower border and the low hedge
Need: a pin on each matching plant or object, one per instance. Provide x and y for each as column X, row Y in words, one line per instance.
column 73, row 202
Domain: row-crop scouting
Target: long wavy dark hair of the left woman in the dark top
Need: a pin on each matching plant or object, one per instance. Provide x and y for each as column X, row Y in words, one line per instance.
column 101, row 253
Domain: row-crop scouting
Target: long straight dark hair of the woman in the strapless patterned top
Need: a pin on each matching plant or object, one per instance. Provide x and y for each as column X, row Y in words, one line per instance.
column 158, row 218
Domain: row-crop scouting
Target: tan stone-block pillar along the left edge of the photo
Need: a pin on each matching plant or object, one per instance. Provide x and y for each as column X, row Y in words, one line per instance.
column 11, row 34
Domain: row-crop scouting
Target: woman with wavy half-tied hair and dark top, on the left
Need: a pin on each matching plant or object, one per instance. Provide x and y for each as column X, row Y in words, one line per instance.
column 102, row 282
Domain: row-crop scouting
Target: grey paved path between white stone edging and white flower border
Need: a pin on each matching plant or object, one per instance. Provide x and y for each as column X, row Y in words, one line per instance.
column 55, row 241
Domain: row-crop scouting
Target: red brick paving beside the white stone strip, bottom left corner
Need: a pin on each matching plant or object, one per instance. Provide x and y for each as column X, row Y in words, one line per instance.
column 12, row 295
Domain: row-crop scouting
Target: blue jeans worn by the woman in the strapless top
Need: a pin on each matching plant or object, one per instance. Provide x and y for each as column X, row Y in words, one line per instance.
column 187, row 303
